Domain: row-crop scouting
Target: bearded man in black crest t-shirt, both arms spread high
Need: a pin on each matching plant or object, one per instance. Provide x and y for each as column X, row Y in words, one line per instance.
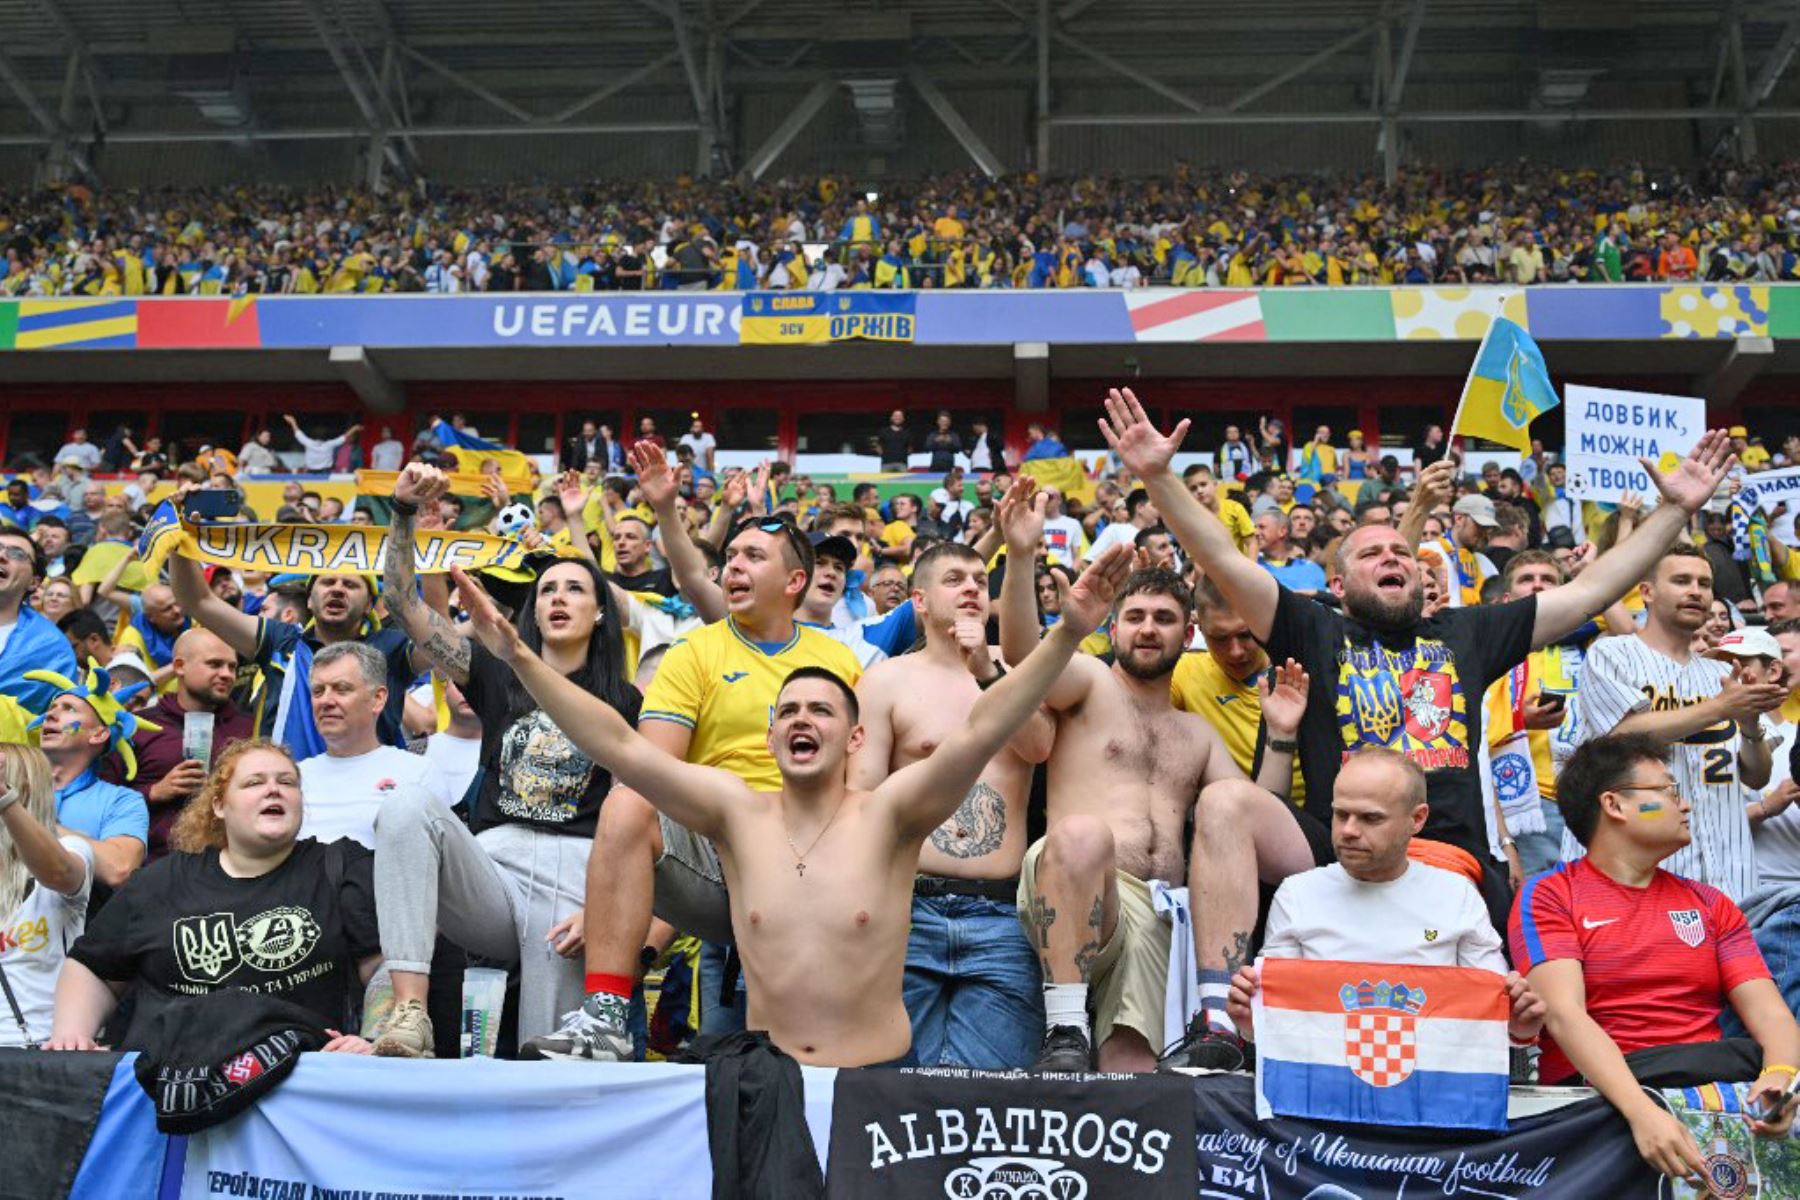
column 1381, row 674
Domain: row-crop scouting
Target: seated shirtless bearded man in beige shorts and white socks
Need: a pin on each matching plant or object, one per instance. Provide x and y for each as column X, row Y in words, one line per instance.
column 1124, row 775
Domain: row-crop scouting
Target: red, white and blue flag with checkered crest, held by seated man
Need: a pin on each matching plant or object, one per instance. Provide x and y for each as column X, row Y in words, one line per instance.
column 1381, row 1044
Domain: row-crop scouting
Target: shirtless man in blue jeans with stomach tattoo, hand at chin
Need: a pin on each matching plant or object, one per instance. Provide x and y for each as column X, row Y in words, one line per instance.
column 973, row 985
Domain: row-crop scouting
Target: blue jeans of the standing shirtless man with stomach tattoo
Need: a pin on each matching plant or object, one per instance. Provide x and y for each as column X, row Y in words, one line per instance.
column 973, row 985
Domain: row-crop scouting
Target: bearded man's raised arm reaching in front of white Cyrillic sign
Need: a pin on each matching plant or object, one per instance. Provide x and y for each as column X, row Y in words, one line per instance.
column 1686, row 490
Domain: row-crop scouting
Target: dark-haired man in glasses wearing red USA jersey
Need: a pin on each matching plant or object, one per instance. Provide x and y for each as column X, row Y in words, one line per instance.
column 1637, row 963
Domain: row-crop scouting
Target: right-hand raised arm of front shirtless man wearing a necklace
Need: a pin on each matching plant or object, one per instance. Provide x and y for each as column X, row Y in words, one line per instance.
column 930, row 791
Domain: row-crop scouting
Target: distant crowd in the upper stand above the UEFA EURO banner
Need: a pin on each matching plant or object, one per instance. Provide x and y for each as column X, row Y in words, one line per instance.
column 1509, row 224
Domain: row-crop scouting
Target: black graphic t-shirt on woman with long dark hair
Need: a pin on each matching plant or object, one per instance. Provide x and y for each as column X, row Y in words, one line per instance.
column 532, row 775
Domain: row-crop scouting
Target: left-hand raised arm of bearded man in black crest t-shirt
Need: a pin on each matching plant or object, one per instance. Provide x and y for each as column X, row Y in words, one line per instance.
column 1246, row 587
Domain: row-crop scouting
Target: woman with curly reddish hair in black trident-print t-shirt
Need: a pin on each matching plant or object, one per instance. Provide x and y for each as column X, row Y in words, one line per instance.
column 242, row 904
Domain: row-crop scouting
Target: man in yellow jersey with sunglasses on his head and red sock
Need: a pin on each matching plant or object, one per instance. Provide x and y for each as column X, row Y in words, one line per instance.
column 710, row 704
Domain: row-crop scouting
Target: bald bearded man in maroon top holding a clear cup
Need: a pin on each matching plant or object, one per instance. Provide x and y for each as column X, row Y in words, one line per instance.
column 204, row 674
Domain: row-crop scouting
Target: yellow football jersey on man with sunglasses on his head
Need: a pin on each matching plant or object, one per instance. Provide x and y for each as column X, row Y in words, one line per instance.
column 724, row 686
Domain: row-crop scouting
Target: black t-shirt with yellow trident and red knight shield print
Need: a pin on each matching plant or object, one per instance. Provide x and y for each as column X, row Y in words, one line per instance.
column 1419, row 694
